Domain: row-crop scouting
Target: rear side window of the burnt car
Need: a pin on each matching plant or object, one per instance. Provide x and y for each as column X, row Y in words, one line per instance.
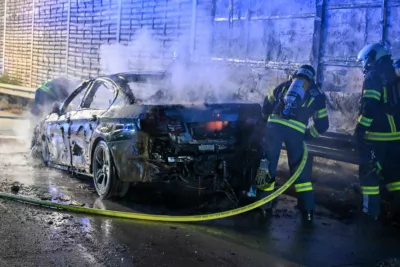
column 101, row 96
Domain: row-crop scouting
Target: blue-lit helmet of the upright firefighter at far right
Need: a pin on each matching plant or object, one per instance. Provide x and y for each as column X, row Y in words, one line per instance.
column 370, row 54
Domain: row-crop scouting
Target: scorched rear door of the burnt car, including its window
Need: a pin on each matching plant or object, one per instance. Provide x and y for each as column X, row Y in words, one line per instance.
column 98, row 98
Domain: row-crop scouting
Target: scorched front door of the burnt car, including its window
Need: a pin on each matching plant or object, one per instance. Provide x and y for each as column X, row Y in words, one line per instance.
column 58, row 129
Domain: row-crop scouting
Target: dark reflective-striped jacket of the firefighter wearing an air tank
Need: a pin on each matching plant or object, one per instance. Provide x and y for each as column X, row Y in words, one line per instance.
column 313, row 106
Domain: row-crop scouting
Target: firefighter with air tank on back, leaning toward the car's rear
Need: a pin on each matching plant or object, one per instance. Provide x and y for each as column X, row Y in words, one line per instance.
column 287, row 110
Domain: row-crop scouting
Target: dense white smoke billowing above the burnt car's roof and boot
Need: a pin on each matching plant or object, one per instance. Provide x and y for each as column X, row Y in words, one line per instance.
column 189, row 83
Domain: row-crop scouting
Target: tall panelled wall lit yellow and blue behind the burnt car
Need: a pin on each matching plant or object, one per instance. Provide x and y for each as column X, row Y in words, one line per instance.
column 264, row 40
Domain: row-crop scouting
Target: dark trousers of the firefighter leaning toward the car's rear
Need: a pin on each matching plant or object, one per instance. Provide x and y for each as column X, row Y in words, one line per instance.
column 276, row 134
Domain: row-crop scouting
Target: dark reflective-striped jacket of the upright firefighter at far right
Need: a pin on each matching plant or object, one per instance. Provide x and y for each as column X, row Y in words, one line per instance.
column 379, row 112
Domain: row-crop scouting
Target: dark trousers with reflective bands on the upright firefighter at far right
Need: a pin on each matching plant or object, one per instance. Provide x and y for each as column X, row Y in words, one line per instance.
column 386, row 155
